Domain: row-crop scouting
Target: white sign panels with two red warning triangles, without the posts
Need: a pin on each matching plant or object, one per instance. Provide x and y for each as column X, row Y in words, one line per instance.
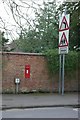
column 63, row 34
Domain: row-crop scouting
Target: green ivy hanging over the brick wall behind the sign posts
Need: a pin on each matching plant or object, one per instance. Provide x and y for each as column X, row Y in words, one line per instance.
column 71, row 61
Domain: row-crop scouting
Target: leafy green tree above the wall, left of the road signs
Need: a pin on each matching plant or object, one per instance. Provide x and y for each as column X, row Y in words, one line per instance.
column 44, row 36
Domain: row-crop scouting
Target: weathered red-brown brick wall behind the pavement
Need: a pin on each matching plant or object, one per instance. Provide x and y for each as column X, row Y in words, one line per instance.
column 40, row 80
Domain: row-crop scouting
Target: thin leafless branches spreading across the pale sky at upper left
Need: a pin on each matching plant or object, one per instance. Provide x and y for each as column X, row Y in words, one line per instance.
column 20, row 10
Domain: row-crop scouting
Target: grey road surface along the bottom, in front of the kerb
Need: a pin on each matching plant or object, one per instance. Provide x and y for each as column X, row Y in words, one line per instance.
column 57, row 112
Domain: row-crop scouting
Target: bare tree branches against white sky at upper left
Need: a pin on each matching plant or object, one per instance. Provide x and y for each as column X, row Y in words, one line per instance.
column 20, row 14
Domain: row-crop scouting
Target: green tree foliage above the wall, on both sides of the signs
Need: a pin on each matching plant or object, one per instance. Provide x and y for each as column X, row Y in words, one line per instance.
column 45, row 34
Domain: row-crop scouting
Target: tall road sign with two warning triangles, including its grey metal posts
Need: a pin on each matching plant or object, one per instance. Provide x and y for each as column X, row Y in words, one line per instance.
column 63, row 47
